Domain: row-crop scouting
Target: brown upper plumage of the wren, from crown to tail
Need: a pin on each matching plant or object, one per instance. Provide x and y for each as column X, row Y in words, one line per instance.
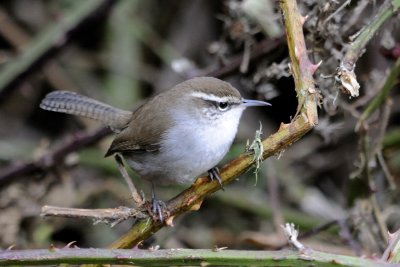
column 133, row 133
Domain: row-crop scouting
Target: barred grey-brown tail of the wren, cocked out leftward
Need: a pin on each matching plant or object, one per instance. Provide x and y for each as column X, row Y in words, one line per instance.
column 73, row 103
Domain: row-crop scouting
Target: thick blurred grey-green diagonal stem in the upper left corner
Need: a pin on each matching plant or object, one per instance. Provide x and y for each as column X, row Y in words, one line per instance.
column 49, row 43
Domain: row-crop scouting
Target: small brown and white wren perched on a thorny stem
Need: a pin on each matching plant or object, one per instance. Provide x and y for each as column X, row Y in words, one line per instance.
column 175, row 136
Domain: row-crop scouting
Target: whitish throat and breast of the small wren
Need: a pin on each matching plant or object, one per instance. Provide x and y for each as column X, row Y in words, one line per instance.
column 195, row 146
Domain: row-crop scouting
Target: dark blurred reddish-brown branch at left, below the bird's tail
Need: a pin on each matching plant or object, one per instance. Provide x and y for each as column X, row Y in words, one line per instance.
column 50, row 159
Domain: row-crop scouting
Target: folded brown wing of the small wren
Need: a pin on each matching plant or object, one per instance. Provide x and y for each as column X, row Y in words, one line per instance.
column 144, row 131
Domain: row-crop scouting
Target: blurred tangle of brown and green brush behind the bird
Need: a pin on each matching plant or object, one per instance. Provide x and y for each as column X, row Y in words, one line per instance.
column 338, row 185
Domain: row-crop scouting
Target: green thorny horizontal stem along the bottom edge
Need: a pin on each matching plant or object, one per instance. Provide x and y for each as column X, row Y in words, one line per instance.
column 182, row 257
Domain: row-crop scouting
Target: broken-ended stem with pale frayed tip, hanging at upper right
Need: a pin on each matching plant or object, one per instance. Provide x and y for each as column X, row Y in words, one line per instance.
column 345, row 71
